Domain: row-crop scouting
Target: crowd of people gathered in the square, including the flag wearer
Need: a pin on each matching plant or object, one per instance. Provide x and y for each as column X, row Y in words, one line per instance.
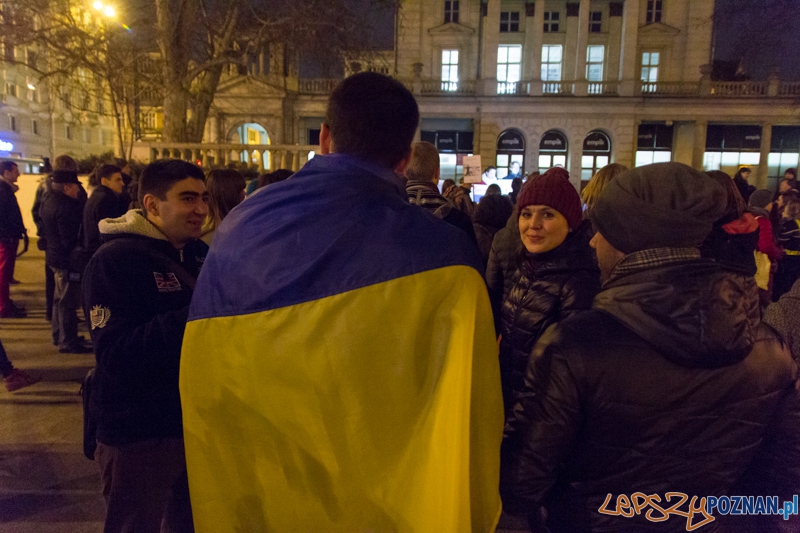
column 360, row 349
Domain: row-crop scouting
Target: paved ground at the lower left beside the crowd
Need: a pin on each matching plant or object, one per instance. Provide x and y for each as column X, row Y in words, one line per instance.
column 46, row 484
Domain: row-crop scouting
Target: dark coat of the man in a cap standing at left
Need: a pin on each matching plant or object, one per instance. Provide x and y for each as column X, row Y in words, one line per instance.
column 62, row 217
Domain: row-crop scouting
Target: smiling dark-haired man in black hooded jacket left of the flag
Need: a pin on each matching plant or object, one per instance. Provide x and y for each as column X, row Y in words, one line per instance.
column 137, row 290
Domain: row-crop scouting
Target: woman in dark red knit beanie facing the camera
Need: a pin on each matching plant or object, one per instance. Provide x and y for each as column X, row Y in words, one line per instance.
column 556, row 274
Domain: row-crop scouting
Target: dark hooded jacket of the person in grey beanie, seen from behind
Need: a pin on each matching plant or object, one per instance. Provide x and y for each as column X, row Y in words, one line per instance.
column 670, row 383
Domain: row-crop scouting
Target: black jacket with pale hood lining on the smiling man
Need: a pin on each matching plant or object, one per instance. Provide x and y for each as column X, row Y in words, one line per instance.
column 137, row 307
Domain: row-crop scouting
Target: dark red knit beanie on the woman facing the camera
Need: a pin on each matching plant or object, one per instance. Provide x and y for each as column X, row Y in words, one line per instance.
column 553, row 189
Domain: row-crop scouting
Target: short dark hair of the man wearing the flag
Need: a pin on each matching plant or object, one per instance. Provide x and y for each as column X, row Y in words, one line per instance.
column 373, row 117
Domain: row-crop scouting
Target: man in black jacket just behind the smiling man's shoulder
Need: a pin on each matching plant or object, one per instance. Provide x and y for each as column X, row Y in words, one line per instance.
column 106, row 201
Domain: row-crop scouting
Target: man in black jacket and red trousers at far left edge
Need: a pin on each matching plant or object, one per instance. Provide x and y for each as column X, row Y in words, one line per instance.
column 11, row 231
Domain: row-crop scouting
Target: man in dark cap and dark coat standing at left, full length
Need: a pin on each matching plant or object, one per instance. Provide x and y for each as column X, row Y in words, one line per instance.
column 61, row 214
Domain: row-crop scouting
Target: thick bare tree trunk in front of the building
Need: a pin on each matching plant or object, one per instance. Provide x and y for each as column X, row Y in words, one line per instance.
column 175, row 19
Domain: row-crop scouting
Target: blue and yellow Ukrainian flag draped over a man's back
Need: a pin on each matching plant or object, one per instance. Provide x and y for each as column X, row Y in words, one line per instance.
column 339, row 367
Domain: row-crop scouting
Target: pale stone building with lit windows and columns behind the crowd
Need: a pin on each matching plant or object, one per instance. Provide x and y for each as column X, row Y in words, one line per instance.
column 547, row 82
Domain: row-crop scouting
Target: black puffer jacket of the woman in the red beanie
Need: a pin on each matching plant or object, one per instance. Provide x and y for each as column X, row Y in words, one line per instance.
column 545, row 289
